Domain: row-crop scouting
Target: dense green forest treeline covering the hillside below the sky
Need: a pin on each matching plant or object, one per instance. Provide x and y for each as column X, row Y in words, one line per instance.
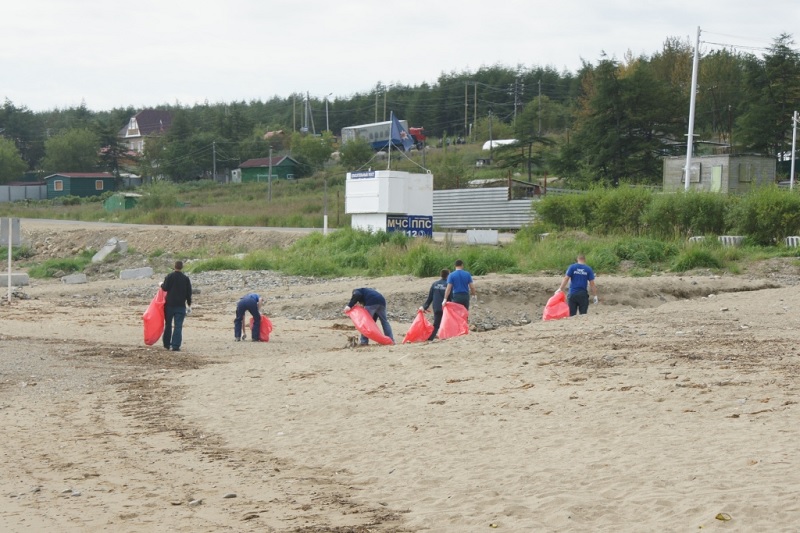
column 609, row 123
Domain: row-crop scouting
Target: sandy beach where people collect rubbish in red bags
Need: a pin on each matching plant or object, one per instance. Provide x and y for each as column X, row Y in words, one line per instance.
column 671, row 406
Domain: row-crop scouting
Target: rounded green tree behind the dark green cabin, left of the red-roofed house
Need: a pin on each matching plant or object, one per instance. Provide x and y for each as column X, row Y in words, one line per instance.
column 74, row 150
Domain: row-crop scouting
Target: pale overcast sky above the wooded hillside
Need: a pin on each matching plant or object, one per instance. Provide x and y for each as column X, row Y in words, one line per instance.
column 60, row 53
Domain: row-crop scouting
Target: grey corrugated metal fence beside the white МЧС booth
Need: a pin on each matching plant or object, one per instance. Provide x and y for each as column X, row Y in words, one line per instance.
column 487, row 208
